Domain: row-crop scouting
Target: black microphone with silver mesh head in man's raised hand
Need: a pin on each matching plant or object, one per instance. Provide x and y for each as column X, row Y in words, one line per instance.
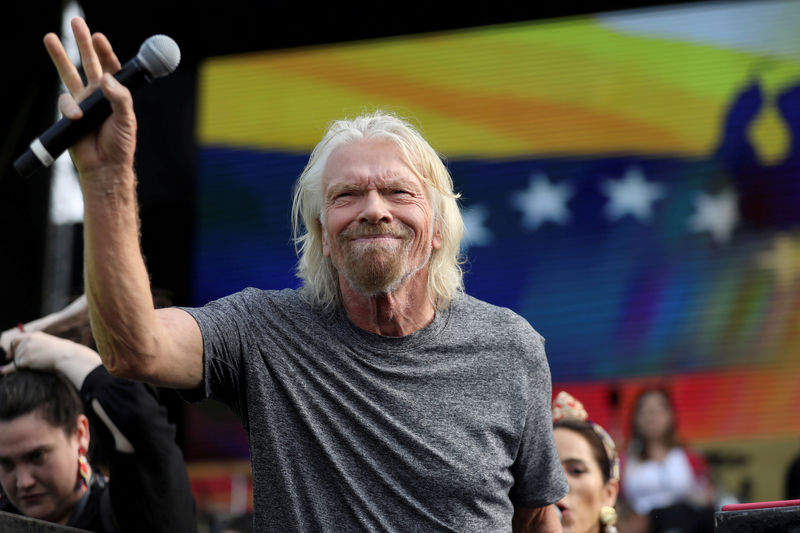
column 158, row 56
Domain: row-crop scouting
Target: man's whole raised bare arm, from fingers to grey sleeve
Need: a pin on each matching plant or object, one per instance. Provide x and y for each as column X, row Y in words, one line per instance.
column 134, row 340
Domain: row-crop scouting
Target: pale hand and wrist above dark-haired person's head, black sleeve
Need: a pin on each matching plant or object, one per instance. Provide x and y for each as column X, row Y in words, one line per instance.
column 41, row 351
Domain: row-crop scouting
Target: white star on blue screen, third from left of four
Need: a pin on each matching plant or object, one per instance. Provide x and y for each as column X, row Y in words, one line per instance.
column 631, row 195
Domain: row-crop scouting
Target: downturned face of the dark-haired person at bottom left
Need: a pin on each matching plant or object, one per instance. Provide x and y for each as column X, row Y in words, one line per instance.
column 39, row 466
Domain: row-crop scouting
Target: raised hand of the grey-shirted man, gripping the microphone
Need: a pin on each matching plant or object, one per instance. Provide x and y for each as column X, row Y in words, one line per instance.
column 112, row 146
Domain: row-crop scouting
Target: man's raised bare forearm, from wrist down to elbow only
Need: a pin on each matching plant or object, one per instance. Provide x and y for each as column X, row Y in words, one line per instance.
column 117, row 285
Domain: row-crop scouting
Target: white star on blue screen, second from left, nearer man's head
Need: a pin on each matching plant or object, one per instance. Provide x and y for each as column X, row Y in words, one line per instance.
column 543, row 201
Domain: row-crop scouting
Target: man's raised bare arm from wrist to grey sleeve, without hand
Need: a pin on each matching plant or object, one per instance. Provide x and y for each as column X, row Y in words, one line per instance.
column 164, row 346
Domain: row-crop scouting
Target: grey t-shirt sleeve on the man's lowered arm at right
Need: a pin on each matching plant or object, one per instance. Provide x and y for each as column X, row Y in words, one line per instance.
column 539, row 479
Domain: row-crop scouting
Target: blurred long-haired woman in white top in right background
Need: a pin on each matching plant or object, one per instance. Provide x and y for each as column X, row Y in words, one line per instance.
column 665, row 482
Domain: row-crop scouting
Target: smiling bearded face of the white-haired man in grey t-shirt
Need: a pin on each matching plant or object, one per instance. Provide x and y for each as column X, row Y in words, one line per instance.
column 377, row 217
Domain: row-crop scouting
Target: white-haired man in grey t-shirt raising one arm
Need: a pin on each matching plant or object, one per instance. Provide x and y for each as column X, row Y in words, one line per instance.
column 378, row 396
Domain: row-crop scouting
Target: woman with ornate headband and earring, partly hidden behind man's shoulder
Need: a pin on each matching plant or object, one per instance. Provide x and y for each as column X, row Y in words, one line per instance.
column 590, row 460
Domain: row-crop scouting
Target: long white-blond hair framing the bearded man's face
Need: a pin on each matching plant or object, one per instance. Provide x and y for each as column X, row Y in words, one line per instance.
column 320, row 279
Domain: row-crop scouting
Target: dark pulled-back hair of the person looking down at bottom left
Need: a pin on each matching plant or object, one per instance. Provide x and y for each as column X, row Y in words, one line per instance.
column 49, row 393
